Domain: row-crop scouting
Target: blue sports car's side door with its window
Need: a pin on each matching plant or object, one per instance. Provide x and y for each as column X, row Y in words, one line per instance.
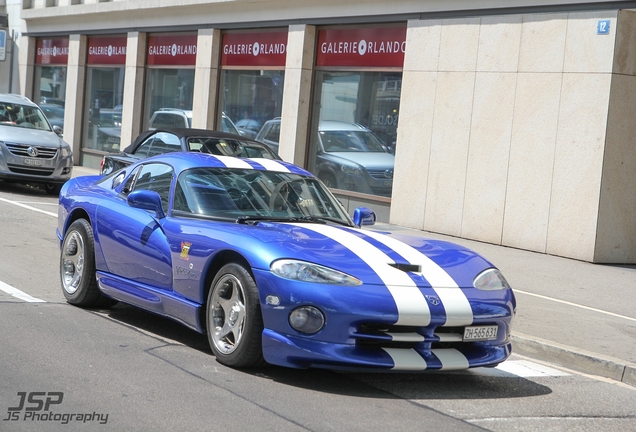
column 132, row 240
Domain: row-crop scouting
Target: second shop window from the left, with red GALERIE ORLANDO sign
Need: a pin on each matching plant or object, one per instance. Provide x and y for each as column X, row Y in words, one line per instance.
column 103, row 100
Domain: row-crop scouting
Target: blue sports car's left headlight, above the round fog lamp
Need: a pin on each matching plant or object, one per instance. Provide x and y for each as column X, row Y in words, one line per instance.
column 309, row 272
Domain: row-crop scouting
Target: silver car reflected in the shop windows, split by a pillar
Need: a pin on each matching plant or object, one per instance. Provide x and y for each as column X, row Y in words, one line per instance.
column 349, row 156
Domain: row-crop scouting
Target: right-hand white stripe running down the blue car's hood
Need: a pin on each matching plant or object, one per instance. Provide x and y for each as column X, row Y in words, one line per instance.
column 458, row 310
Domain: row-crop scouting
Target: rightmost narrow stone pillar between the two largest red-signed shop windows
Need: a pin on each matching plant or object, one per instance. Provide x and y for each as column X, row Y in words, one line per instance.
column 297, row 93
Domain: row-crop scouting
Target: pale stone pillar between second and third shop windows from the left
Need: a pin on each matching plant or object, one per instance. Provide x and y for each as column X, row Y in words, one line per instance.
column 132, row 120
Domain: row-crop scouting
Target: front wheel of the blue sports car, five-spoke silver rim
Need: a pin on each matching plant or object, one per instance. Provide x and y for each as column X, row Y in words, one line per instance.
column 234, row 320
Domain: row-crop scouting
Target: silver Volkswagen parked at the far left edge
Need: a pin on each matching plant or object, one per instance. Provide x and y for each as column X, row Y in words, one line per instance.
column 31, row 150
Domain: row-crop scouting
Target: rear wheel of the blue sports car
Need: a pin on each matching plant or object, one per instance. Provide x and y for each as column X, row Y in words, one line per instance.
column 77, row 267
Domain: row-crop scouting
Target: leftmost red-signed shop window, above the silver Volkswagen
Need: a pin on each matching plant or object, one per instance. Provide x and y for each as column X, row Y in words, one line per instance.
column 50, row 78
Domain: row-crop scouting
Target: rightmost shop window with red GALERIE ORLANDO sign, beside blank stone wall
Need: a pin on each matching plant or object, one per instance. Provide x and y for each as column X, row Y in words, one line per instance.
column 355, row 111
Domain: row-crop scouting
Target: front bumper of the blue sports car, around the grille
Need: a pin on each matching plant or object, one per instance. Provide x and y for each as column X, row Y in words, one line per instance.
column 360, row 331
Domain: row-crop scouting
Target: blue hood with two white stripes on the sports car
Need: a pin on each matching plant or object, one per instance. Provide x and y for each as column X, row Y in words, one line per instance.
column 375, row 257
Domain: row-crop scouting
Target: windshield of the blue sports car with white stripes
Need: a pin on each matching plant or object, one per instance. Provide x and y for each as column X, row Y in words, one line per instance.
column 246, row 195
